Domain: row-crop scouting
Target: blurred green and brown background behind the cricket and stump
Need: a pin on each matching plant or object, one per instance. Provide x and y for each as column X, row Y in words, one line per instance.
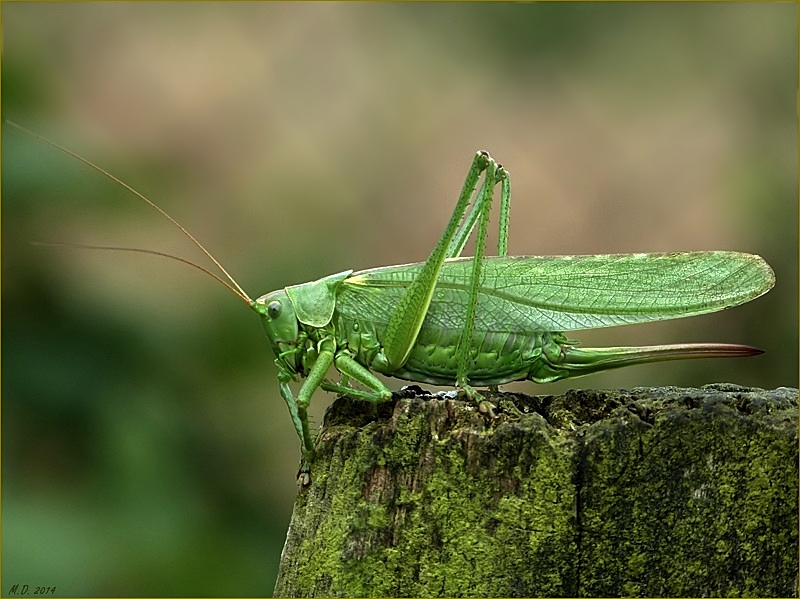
column 145, row 448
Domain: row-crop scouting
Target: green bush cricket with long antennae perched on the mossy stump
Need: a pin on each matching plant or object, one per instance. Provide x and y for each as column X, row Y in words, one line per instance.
column 479, row 321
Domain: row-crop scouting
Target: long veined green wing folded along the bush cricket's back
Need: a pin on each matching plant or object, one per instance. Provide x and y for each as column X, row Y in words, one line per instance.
column 565, row 293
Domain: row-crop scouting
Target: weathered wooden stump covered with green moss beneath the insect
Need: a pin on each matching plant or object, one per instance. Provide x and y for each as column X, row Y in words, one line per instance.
column 654, row 492
